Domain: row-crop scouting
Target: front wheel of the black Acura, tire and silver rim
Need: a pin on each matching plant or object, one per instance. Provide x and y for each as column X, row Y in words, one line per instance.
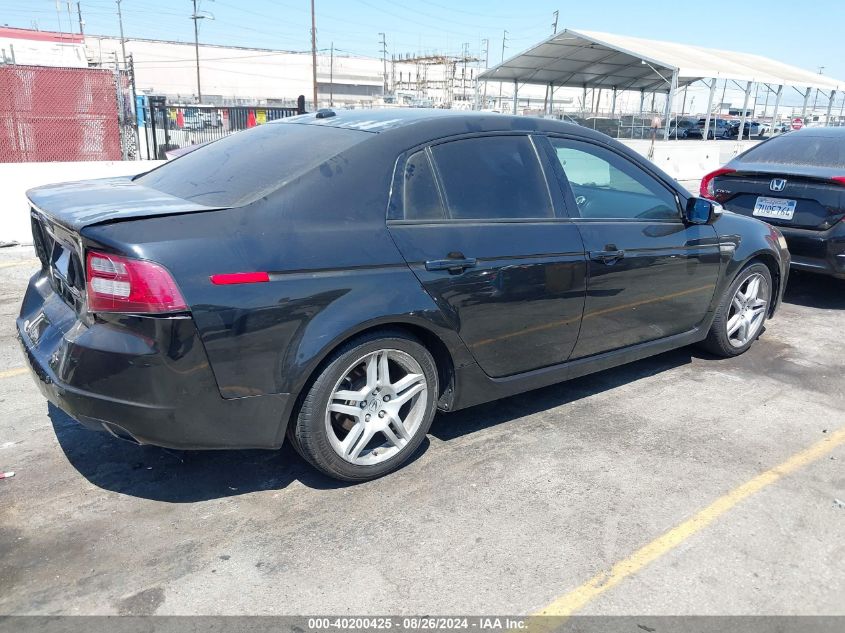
column 741, row 313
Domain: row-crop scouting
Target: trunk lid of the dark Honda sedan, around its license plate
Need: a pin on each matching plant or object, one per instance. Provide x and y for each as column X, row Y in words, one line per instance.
column 819, row 200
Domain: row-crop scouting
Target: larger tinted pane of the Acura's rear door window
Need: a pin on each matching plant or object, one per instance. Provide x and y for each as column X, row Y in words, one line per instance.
column 494, row 177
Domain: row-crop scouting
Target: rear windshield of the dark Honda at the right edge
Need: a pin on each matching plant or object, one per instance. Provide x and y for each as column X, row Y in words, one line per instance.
column 800, row 149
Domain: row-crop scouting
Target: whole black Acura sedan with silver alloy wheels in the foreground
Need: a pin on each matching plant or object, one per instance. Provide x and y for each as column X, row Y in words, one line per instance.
column 337, row 278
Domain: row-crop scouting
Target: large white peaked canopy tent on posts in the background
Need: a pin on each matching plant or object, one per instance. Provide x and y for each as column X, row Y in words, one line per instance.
column 589, row 59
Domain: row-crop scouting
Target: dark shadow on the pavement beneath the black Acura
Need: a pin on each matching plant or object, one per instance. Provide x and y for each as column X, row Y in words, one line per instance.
column 189, row 476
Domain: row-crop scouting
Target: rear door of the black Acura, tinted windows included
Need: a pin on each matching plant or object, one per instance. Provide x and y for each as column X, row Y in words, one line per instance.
column 478, row 224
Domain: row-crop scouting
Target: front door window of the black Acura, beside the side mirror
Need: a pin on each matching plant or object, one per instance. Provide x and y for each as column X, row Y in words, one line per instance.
column 609, row 186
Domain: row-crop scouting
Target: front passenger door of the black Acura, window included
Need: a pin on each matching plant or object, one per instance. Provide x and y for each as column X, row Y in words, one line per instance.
column 650, row 275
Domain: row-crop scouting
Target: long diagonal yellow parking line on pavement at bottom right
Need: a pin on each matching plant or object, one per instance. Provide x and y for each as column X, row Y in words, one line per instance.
column 578, row 598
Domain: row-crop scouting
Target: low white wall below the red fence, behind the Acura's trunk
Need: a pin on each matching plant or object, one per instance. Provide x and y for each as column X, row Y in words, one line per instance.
column 16, row 178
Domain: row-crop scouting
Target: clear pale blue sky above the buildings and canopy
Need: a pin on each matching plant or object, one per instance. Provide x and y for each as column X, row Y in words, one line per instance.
column 808, row 35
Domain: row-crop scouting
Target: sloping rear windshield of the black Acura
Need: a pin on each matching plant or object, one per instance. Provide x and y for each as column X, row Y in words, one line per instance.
column 245, row 166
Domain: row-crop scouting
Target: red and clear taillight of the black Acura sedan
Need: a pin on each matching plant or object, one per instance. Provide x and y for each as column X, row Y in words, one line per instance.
column 123, row 284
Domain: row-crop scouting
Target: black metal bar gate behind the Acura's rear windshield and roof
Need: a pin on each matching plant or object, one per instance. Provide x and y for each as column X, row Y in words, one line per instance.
column 168, row 126
